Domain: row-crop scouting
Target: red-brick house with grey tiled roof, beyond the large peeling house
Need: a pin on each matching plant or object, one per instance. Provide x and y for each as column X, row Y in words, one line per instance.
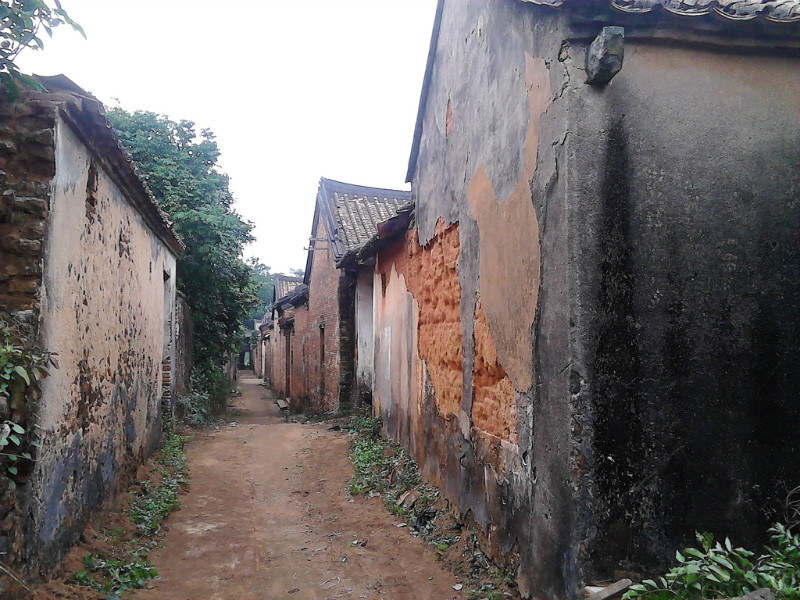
column 337, row 354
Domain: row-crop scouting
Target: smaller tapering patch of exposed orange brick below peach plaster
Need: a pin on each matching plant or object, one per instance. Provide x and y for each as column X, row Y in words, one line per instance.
column 494, row 406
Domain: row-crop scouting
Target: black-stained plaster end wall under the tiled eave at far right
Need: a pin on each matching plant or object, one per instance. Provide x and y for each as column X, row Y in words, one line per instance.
column 686, row 254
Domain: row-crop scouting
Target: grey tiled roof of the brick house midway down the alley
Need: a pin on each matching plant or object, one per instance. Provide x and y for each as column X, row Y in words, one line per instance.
column 351, row 214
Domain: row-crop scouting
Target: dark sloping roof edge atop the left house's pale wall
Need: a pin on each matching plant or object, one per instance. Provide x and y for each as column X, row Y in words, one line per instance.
column 88, row 117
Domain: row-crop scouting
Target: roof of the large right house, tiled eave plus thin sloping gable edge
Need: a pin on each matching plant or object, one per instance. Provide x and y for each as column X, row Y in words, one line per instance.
column 783, row 12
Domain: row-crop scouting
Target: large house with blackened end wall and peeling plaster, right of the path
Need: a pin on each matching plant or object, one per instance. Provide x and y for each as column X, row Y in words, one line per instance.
column 589, row 339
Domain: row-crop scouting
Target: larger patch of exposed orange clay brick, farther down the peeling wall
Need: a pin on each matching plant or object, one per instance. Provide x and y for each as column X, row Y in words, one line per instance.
column 431, row 275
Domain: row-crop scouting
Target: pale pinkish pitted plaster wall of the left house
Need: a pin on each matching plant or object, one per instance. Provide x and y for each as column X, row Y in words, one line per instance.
column 102, row 311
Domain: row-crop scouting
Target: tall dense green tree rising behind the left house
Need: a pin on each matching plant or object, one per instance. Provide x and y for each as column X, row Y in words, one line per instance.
column 181, row 169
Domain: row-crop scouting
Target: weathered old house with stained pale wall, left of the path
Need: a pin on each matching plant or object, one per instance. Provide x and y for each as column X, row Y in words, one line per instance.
column 88, row 267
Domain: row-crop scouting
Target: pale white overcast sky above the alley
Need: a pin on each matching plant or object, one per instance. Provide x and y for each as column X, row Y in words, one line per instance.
column 293, row 90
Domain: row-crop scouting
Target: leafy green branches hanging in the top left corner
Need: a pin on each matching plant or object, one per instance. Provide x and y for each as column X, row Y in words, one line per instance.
column 20, row 24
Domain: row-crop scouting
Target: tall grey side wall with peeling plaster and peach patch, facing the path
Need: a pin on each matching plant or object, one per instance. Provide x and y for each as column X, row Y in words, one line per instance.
column 492, row 159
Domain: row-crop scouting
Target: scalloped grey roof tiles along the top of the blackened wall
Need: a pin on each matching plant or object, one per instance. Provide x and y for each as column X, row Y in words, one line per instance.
column 781, row 11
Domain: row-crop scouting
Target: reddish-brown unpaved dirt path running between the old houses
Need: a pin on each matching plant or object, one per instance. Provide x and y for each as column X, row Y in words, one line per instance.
column 268, row 516
